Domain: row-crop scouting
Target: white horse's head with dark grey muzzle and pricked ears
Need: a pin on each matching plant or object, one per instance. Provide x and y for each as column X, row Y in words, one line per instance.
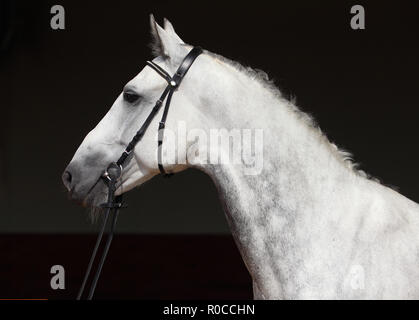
column 106, row 142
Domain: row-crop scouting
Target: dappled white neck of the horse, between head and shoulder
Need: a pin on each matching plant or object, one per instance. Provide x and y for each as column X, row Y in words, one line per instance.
column 303, row 175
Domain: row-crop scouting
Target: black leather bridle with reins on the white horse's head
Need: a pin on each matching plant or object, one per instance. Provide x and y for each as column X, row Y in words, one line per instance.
column 114, row 170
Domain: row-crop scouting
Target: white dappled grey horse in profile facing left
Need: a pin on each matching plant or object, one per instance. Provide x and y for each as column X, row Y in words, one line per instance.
column 308, row 226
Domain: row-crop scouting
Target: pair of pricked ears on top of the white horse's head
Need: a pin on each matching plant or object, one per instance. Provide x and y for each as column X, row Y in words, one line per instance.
column 165, row 43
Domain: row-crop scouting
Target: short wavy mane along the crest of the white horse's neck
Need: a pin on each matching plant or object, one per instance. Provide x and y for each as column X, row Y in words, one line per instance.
column 268, row 83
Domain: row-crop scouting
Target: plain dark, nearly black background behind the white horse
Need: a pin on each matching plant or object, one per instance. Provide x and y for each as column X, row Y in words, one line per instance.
column 56, row 85
